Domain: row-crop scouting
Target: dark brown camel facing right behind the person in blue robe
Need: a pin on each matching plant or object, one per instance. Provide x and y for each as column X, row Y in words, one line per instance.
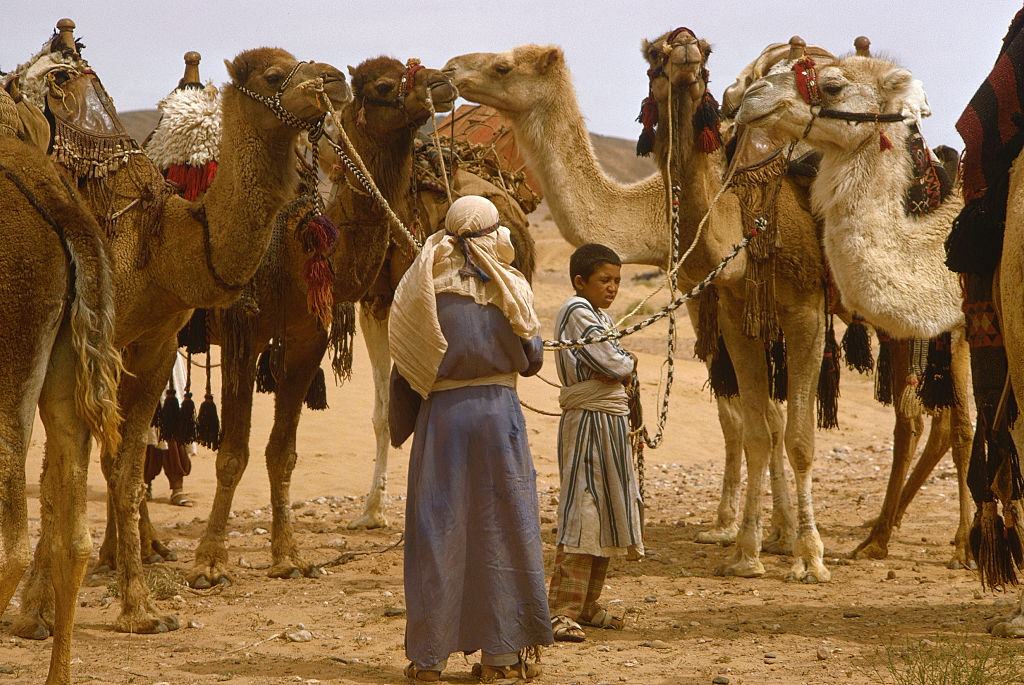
column 392, row 102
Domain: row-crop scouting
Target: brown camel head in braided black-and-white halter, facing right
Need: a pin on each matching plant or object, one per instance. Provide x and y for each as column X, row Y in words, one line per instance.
column 305, row 91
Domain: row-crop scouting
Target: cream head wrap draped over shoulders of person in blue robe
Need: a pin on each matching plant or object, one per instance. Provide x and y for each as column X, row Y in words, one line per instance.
column 473, row 258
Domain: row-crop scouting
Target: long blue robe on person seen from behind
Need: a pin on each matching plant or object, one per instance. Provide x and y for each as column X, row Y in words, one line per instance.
column 475, row 566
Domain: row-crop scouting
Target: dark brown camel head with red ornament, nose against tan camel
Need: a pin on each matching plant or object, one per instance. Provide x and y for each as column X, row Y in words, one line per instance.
column 391, row 96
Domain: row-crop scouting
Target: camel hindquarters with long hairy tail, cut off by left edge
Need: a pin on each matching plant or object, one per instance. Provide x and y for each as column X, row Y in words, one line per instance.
column 57, row 315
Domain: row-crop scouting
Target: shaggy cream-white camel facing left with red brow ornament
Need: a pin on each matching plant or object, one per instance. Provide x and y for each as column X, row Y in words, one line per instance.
column 889, row 268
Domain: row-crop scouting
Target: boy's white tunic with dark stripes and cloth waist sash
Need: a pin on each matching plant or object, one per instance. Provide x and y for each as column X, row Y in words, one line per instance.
column 600, row 506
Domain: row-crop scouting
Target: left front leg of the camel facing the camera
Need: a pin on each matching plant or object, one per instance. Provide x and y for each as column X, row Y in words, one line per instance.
column 752, row 373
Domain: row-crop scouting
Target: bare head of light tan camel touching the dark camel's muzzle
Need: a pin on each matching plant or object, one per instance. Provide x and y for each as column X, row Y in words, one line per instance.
column 513, row 82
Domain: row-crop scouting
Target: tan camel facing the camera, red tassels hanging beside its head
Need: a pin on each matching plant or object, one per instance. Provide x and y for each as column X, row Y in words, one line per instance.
column 800, row 299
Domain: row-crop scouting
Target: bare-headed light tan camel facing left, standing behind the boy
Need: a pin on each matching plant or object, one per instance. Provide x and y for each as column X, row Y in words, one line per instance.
column 532, row 88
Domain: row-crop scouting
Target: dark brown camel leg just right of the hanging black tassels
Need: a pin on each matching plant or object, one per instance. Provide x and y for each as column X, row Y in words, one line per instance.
column 236, row 410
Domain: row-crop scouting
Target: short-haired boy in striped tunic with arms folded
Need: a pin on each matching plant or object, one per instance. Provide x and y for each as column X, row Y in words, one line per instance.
column 600, row 505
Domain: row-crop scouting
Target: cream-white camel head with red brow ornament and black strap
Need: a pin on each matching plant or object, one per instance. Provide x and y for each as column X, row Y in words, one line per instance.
column 834, row 108
